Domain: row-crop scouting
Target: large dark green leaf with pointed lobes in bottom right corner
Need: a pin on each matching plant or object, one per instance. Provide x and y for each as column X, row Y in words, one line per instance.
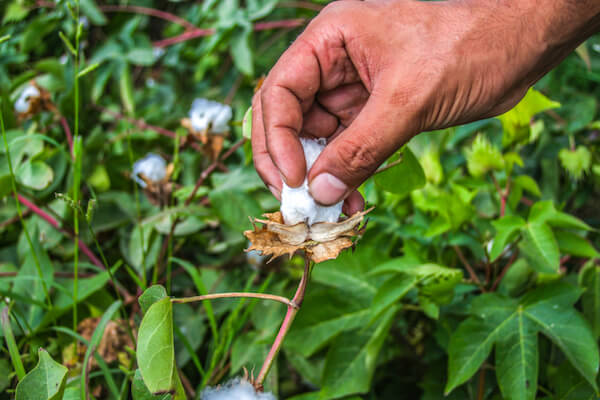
column 512, row 326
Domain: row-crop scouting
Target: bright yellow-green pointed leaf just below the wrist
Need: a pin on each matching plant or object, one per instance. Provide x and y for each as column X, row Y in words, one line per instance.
column 515, row 122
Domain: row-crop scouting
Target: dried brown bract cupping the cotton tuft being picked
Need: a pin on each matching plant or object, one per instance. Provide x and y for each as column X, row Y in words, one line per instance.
column 321, row 241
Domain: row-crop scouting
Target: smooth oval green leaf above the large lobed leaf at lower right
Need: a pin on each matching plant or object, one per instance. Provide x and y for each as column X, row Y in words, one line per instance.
column 540, row 248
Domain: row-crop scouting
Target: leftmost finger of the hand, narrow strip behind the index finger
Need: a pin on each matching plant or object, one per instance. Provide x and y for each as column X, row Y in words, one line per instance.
column 262, row 160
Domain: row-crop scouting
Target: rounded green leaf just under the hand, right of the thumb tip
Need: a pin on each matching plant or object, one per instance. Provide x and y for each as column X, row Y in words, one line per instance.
column 404, row 177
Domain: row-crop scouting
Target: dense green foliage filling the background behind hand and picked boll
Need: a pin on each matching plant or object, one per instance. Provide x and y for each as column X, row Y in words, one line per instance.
column 478, row 278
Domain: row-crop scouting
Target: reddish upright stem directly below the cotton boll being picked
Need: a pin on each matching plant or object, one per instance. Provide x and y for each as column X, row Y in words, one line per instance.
column 285, row 325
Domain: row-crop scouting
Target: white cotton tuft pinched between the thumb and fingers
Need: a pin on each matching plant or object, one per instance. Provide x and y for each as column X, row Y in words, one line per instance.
column 297, row 205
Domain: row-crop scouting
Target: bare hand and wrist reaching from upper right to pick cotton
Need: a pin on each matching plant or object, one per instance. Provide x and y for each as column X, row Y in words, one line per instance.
column 368, row 76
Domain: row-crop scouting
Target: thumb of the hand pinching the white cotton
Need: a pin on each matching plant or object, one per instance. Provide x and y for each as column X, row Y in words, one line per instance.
column 356, row 153
